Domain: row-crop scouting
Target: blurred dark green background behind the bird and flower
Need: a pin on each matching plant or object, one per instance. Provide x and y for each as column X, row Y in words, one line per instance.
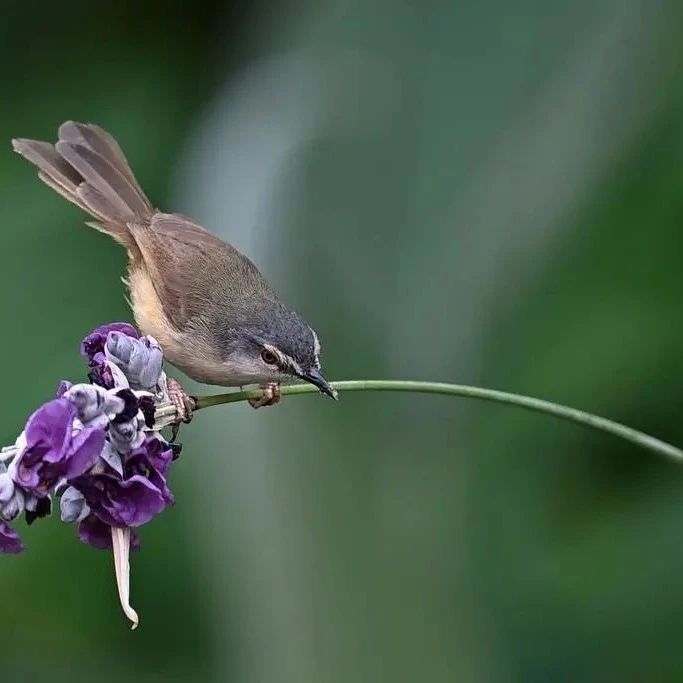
column 483, row 192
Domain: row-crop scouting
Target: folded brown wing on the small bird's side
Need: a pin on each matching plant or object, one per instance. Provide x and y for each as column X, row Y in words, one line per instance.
column 190, row 268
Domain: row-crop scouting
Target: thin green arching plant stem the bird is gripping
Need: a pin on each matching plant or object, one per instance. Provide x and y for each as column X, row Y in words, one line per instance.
column 645, row 441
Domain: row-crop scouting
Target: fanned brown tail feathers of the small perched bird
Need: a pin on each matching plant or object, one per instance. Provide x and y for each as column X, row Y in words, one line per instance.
column 87, row 167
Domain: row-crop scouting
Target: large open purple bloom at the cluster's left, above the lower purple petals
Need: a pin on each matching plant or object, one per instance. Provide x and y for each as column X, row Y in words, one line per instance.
column 53, row 451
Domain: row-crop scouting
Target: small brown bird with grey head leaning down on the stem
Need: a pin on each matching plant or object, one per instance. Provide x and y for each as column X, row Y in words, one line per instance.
column 208, row 306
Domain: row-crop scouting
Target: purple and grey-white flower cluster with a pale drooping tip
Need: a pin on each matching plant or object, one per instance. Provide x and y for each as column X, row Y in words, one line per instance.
column 95, row 448
